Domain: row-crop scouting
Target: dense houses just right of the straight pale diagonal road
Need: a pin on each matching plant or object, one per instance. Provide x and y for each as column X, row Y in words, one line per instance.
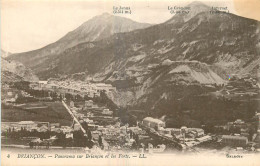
column 113, row 135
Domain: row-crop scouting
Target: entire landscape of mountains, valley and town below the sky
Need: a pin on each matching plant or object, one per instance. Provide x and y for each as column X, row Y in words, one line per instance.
column 190, row 80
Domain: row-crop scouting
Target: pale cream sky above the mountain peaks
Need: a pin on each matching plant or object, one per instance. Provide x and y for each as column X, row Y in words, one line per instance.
column 28, row 25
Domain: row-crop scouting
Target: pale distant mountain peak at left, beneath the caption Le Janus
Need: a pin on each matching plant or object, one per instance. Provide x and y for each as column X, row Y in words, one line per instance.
column 95, row 29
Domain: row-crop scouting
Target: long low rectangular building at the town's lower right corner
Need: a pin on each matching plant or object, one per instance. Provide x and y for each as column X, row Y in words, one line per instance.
column 234, row 140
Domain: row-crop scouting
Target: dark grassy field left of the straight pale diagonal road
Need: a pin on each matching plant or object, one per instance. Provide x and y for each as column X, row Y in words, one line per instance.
column 53, row 112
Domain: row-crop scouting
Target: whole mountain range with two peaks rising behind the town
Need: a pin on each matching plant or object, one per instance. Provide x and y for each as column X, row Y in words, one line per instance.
column 153, row 66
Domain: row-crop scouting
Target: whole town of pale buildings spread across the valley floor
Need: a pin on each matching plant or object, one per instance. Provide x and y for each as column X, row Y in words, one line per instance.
column 93, row 125
